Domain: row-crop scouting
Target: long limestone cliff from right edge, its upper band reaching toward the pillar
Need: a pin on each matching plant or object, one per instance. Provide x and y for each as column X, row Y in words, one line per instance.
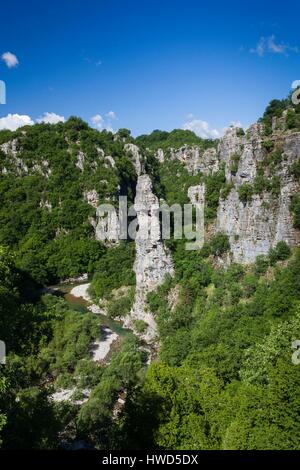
column 255, row 225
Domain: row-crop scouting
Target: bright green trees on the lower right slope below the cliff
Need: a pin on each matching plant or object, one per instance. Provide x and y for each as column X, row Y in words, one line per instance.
column 225, row 379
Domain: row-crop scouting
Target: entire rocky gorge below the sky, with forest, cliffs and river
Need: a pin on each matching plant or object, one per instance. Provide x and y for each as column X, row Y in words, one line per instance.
column 221, row 318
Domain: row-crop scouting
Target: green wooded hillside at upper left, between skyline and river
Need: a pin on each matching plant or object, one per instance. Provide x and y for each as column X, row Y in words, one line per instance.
column 44, row 217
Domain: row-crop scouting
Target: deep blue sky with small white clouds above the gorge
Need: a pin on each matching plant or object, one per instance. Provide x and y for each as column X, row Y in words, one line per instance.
column 154, row 64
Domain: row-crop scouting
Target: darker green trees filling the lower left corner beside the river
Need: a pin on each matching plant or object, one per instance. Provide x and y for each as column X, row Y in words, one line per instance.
column 48, row 348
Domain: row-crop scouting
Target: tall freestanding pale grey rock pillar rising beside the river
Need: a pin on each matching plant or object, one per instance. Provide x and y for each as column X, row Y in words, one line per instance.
column 152, row 262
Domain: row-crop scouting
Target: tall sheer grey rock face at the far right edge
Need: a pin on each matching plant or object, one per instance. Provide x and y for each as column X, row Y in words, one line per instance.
column 256, row 226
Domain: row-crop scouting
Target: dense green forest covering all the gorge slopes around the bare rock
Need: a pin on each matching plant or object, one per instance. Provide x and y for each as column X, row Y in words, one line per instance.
column 222, row 377
